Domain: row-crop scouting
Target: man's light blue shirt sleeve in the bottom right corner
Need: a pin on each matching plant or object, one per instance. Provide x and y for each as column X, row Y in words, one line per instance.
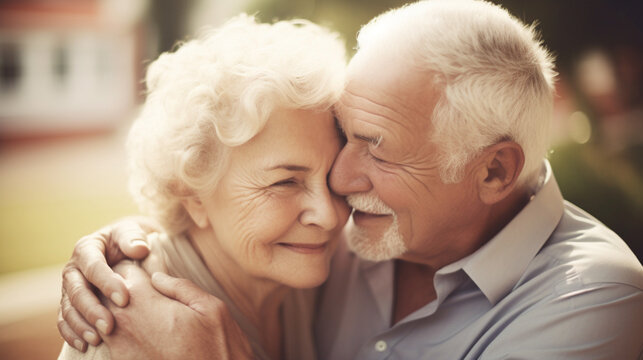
column 600, row 321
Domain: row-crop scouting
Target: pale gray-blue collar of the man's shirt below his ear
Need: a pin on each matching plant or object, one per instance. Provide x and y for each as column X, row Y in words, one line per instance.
column 498, row 265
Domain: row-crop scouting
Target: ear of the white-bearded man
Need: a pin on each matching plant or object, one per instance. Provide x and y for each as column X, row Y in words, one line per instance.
column 498, row 171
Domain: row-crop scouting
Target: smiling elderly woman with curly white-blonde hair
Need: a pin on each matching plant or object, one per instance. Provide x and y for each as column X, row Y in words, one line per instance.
column 230, row 154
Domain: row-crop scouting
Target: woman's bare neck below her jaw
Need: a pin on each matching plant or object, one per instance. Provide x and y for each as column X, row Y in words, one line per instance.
column 259, row 300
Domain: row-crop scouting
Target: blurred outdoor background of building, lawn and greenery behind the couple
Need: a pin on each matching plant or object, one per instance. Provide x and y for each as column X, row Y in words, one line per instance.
column 70, row 84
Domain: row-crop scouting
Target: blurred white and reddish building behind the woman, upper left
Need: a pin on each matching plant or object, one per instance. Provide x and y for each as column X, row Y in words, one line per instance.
column 68, row 66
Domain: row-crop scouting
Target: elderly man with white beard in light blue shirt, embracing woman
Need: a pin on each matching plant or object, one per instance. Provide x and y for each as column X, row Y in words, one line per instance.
column 460, row 245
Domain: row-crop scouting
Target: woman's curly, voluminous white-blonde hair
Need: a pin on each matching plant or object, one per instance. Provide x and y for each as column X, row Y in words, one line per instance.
column 217, row 91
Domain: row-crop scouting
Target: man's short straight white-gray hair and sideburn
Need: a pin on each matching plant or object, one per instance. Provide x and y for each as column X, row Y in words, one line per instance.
column 496, row 80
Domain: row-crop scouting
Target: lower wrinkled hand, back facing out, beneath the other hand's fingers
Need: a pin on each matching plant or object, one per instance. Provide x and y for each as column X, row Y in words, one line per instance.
column 187, row 324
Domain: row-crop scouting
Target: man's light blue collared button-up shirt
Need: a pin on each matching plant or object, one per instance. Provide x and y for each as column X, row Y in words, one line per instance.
column 554, row 283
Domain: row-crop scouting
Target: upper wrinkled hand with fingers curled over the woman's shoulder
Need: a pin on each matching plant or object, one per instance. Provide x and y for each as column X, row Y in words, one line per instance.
column 81, row 314
